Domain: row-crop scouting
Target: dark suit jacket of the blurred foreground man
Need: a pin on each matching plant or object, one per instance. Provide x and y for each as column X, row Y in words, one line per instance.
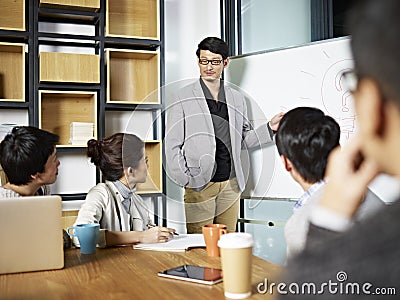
column 368, row 255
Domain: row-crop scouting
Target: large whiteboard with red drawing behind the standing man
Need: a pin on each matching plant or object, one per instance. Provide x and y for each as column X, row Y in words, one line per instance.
column 279, row 80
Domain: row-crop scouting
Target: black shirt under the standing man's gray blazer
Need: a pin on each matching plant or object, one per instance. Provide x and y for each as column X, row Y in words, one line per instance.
column 220, row 118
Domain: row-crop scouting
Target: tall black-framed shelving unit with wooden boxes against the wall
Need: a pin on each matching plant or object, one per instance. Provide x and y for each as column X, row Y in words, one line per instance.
column 80, row 77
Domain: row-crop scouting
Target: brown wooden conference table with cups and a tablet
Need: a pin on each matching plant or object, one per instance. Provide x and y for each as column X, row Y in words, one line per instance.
column 124, row 273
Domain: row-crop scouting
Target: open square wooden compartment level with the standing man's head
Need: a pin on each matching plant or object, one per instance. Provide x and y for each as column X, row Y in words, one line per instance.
column 133, row 76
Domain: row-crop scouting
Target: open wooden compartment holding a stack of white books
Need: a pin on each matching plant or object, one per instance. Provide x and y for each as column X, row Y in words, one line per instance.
column 57, row 109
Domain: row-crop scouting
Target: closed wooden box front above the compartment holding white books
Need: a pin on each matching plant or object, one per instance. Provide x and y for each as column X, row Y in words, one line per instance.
column 69, row 67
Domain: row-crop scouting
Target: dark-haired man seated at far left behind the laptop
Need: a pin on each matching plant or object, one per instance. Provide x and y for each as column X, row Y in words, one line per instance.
column 29, row 160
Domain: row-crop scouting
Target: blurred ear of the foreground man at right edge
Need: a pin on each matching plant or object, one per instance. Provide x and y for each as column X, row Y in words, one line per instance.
column 370, row 107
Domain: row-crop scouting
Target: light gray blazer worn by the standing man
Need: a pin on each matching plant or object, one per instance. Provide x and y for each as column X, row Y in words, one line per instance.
column 189, row 140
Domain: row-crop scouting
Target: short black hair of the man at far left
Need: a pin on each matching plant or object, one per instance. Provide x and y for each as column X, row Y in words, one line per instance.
column 25, row 151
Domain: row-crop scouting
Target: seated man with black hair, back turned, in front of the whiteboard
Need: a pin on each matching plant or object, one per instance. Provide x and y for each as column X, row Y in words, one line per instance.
column 304, row 150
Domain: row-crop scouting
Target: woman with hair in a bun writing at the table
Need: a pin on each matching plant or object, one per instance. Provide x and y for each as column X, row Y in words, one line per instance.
column 123, row 216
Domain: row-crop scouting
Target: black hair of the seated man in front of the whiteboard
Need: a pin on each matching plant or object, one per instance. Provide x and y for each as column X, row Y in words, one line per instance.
column 306, row 136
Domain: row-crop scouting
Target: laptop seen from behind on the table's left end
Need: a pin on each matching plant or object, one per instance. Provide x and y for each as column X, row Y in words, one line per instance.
column 31, row 236
